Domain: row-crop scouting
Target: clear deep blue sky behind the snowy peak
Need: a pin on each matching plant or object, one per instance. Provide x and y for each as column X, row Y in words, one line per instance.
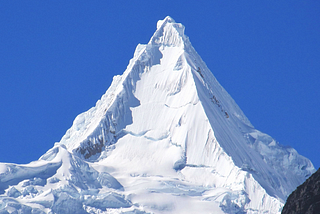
column 58, row 57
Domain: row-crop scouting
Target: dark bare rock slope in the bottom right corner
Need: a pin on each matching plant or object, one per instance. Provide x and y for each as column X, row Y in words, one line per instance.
column 306, row 198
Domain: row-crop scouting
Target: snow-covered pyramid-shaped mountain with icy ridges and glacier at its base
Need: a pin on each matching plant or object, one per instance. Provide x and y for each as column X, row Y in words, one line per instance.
column 165, row 138
